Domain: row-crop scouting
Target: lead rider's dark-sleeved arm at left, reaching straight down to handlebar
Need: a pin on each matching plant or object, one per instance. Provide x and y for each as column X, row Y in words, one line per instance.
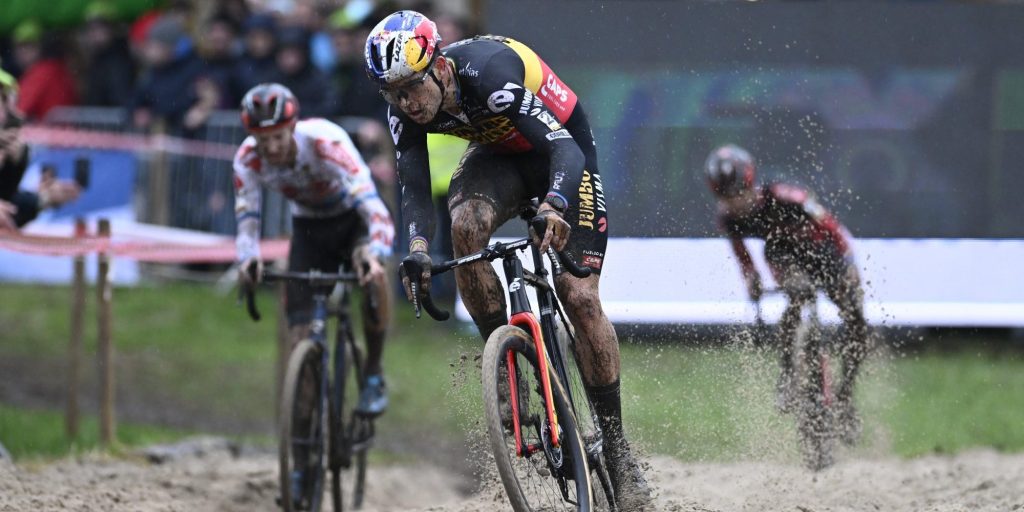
column 414, row 178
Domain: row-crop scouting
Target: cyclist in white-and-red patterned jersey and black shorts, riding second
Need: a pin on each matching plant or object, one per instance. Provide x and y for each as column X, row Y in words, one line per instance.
column 337, row 217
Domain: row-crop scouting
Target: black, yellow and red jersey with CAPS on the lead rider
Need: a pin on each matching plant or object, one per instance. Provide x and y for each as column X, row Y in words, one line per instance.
column 511, row 103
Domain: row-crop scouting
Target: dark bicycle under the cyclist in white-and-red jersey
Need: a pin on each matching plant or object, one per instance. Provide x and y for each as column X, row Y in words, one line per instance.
column 313, row 382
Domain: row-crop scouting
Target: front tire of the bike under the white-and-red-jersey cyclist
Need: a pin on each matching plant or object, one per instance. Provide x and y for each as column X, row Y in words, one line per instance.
column 305, row 363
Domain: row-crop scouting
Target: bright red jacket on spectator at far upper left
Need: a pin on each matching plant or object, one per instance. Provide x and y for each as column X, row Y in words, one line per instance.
column 45, row 86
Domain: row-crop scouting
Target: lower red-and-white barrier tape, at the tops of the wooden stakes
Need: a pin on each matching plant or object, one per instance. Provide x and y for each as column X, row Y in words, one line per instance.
column 155, row 252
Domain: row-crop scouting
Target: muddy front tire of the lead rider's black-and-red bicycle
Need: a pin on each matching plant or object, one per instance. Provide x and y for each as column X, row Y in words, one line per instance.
column 513, row 470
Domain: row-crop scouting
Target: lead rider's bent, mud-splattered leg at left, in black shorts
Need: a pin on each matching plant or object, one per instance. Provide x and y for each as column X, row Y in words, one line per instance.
column 486, row 191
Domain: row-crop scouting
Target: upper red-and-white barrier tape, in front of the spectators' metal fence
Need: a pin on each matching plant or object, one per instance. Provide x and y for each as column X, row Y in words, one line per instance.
column 69, row 138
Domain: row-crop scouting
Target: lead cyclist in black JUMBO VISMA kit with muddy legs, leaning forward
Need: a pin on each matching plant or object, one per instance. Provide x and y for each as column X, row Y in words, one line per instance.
column 529, row 138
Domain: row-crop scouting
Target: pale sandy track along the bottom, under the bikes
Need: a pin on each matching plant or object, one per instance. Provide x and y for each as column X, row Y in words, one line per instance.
column 218, row 481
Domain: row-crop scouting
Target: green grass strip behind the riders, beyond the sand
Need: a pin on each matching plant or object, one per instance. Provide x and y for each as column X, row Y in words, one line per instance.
column 192, row 361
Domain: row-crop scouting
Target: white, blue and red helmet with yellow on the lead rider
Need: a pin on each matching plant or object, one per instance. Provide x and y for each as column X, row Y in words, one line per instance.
column 402, row 49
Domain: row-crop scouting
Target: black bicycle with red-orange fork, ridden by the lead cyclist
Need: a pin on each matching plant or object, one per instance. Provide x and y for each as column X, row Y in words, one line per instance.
column 545, row 437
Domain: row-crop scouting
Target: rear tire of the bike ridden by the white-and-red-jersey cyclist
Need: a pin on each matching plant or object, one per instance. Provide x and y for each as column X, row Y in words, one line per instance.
column 346, row 458
